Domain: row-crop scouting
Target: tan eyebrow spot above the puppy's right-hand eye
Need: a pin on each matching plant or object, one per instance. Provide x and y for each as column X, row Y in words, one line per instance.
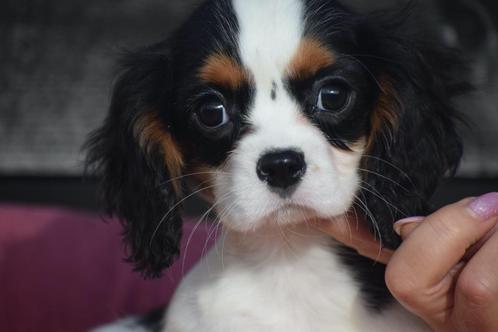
column 310, row 57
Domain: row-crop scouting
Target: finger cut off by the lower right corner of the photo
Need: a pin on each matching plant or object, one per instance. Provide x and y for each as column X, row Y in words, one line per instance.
column 476, row 294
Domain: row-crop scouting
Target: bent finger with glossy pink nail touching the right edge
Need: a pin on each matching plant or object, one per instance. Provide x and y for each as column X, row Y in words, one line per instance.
column 438, row 244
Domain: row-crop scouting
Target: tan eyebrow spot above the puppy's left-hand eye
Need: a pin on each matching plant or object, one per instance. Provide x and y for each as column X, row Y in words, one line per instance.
column 223, row 70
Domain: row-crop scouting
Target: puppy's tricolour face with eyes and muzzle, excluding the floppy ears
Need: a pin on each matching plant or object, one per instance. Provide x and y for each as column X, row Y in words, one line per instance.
column 282, row 111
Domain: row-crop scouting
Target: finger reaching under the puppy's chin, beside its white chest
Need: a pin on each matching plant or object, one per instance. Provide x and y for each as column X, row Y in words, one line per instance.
column 353, row 233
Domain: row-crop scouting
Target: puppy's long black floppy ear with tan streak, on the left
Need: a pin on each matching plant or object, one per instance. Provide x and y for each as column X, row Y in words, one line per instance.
column 139, row 161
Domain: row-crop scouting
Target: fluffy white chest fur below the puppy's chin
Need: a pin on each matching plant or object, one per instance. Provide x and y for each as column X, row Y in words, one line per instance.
column 276, row 281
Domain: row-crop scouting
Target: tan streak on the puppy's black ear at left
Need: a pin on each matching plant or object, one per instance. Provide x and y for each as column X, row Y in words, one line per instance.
column 151, row 132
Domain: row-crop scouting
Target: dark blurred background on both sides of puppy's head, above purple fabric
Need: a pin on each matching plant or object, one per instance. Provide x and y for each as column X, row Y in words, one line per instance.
column 56, row 69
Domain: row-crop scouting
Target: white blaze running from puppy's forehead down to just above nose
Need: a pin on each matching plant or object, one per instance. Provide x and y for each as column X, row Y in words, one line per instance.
column 270, row 33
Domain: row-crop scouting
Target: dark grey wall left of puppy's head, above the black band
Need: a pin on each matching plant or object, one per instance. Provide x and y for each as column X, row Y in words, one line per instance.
column 56, row 69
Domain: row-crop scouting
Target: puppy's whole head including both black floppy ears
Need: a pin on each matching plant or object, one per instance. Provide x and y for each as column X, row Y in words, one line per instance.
column 284, row 111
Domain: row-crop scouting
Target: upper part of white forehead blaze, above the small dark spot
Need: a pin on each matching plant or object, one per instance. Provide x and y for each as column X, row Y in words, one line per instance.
column 270, row 33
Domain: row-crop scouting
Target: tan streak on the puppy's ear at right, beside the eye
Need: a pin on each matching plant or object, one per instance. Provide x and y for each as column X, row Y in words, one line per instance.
column 384, row 116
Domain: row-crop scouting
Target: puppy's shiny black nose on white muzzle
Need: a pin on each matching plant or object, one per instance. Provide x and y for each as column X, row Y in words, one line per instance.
column 281, row 169
